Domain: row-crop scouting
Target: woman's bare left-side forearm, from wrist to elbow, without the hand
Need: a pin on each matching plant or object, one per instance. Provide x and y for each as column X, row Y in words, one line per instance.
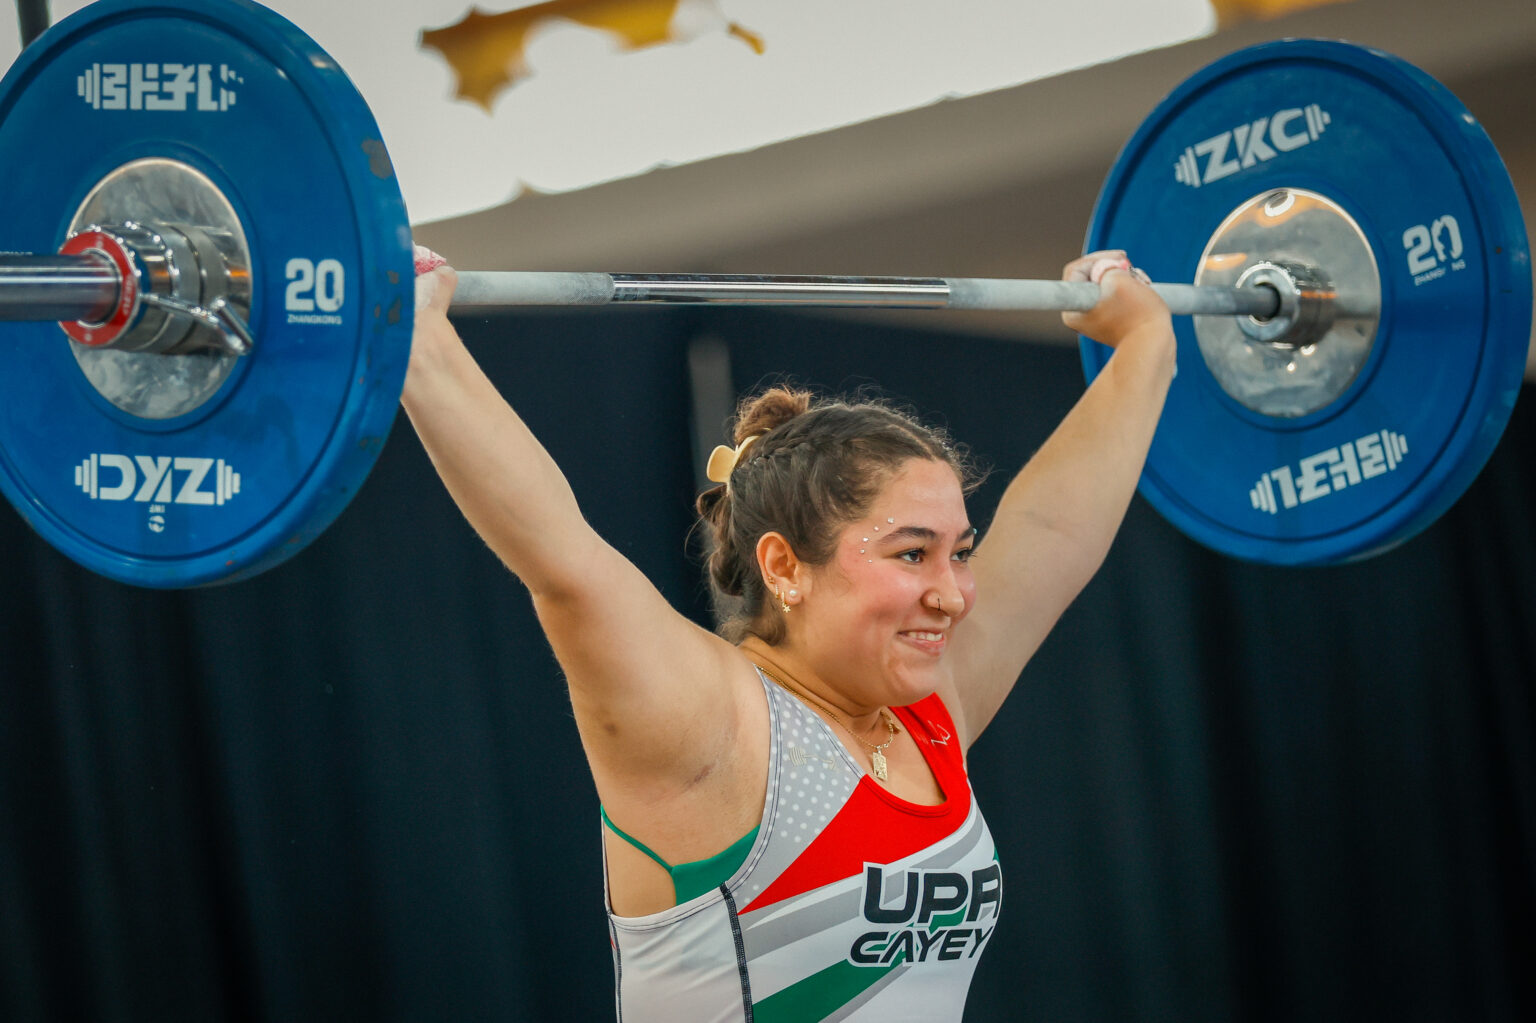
column 498, row 474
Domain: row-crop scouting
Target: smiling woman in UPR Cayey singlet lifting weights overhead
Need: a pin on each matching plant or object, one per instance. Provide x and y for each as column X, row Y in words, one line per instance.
column 789, row 829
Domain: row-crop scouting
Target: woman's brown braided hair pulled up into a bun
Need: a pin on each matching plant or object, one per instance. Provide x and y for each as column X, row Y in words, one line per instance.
column 816, row 466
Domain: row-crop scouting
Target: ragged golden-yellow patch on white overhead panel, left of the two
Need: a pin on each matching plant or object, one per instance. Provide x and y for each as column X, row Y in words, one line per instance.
column 489, row 51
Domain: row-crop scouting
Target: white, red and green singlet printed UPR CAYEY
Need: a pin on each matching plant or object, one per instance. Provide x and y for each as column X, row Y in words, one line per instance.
column 853, row 904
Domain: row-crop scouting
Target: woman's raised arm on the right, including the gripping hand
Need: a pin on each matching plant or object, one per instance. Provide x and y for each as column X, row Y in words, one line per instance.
column 1062, row 512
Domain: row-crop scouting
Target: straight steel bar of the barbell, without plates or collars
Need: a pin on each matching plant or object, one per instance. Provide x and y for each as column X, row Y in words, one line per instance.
column 55, row 288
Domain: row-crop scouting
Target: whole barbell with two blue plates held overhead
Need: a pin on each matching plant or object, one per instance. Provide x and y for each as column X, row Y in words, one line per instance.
column 230, row 257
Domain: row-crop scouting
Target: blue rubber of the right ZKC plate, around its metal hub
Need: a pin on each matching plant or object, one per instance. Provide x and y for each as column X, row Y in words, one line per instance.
column 1406, row 162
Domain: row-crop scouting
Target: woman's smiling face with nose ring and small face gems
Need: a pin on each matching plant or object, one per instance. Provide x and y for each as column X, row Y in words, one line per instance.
column 879, row 617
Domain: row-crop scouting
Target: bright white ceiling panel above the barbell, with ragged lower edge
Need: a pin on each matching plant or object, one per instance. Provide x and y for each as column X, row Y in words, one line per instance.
column 584, row 110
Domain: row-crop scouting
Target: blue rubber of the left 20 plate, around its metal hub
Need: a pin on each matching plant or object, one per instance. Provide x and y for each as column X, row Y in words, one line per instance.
column 259, row 469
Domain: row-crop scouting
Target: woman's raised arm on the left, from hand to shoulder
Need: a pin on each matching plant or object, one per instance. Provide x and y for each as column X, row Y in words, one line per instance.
column 654, row 694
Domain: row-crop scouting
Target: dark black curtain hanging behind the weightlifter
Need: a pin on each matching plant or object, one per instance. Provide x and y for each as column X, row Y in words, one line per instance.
column 353, row 790
